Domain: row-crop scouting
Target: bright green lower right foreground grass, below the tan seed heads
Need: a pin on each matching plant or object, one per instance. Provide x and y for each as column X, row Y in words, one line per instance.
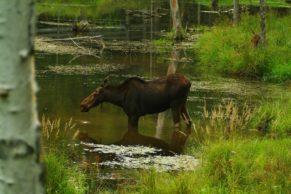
column 249, row 166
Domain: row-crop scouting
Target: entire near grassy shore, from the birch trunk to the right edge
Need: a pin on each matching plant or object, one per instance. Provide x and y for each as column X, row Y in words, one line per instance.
column 242, row 149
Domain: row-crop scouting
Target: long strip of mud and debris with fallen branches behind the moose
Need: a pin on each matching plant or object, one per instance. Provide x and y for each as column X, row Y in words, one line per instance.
column 95, row 46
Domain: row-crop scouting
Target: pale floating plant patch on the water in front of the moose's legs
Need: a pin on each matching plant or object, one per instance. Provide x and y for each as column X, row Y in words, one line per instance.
column 141, row 157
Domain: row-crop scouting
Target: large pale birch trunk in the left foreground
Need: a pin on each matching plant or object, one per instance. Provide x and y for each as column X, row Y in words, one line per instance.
column 20, row 171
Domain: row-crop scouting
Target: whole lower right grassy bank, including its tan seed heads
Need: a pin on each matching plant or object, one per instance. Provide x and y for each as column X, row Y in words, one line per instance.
column 235, row 155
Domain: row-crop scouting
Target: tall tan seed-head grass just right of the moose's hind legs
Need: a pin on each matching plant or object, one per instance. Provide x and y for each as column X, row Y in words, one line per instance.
column 225, row 121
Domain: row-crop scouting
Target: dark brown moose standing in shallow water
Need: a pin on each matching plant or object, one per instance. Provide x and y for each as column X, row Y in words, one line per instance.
column 138, row 97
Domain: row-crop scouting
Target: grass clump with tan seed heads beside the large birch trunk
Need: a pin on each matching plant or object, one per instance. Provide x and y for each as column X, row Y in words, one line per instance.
column 62, row 176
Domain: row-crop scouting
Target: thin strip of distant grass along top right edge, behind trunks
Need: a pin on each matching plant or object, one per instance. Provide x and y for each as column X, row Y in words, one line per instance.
column 271, row 3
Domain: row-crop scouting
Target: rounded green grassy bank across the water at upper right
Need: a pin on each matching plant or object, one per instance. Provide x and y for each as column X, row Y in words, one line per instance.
column 228, row 49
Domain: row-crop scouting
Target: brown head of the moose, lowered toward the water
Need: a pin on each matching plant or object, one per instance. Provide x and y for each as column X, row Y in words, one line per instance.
column 95, row 98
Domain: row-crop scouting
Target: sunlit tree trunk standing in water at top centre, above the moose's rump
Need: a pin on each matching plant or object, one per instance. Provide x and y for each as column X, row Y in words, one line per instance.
column 176, row 21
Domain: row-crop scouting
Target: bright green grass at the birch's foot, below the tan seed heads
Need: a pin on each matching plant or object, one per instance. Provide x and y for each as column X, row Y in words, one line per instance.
column 61, row 176
